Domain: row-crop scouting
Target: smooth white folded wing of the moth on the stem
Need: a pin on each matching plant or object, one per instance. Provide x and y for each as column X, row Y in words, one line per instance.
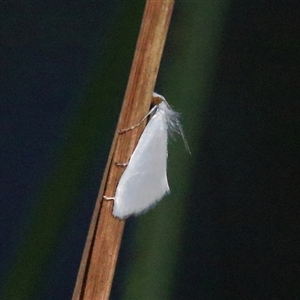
column 144, row 180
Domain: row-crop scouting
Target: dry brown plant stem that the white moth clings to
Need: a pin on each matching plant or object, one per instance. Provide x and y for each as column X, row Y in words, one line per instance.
column 99, row 258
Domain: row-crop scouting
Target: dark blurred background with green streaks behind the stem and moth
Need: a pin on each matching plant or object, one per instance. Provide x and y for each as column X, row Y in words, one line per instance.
column 230, row 228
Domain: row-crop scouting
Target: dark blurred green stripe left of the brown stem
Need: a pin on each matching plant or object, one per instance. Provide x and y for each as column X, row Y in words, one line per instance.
column 56, row 198
